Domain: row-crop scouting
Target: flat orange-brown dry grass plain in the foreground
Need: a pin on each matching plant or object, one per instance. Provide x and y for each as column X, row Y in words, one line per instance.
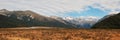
column 59, row 34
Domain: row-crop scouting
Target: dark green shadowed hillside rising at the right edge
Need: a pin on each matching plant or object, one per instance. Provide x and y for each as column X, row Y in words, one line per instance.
column 111, row 22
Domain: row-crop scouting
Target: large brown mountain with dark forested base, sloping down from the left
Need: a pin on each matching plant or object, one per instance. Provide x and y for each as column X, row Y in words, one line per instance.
column 10, row 19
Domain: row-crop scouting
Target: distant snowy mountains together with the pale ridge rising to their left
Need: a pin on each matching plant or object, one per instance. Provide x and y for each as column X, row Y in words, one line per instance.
column 78, row 22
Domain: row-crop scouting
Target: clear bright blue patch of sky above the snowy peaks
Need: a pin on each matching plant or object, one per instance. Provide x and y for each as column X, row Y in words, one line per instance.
column 91, row 12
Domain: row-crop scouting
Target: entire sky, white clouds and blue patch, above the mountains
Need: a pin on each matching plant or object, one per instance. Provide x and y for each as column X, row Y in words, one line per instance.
column 63, row 8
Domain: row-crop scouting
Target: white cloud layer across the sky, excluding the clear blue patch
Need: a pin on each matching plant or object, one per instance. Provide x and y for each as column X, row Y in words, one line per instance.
column 53, row 7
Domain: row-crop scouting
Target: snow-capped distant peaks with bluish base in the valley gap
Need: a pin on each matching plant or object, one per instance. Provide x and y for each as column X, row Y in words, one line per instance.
column 86, row 22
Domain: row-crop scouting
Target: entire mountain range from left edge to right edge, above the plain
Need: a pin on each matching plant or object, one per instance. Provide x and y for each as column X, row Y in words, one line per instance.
column 11, row 19
